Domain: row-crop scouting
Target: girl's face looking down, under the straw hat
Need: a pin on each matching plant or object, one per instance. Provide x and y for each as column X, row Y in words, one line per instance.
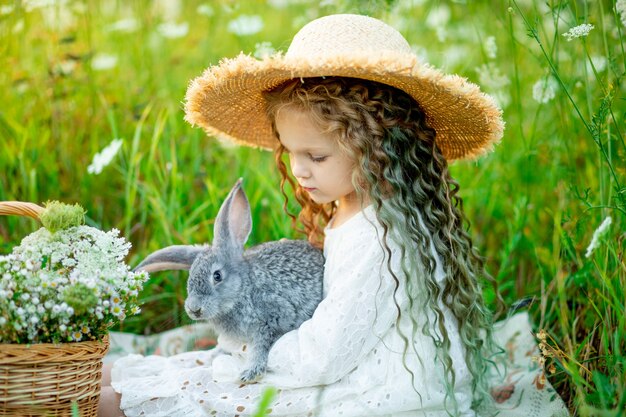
column 316, row 159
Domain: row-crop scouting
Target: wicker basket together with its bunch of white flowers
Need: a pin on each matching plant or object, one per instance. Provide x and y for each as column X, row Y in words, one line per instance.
column 61, row 290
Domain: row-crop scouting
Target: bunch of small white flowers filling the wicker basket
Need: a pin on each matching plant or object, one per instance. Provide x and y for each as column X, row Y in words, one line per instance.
column 70, row 285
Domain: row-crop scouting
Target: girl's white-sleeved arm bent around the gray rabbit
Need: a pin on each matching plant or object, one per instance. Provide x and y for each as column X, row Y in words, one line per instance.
column 358, row 310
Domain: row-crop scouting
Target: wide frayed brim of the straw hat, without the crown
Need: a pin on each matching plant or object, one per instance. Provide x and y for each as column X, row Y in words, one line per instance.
column 227, row 102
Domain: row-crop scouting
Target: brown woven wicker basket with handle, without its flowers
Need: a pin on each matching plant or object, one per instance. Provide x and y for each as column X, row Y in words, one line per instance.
column 45, row 379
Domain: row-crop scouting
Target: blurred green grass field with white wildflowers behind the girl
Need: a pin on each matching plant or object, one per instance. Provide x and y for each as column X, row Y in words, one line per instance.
column 77, row 75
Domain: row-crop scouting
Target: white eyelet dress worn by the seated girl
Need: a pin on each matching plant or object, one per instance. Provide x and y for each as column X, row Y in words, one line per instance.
column 347, row 360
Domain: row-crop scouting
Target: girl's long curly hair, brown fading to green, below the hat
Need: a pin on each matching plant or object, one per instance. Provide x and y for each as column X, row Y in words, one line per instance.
column 401, row 170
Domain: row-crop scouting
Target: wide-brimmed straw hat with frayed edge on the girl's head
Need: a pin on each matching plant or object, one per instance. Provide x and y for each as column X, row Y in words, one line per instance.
column 226, row 99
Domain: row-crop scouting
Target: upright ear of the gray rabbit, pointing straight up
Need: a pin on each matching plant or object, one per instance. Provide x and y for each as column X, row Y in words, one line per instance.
column 234, row 221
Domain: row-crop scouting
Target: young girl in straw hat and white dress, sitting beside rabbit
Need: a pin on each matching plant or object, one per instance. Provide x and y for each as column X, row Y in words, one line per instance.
column 402, row 329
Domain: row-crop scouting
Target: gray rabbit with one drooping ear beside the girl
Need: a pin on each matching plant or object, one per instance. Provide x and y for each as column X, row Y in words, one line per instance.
column 254, row 295
